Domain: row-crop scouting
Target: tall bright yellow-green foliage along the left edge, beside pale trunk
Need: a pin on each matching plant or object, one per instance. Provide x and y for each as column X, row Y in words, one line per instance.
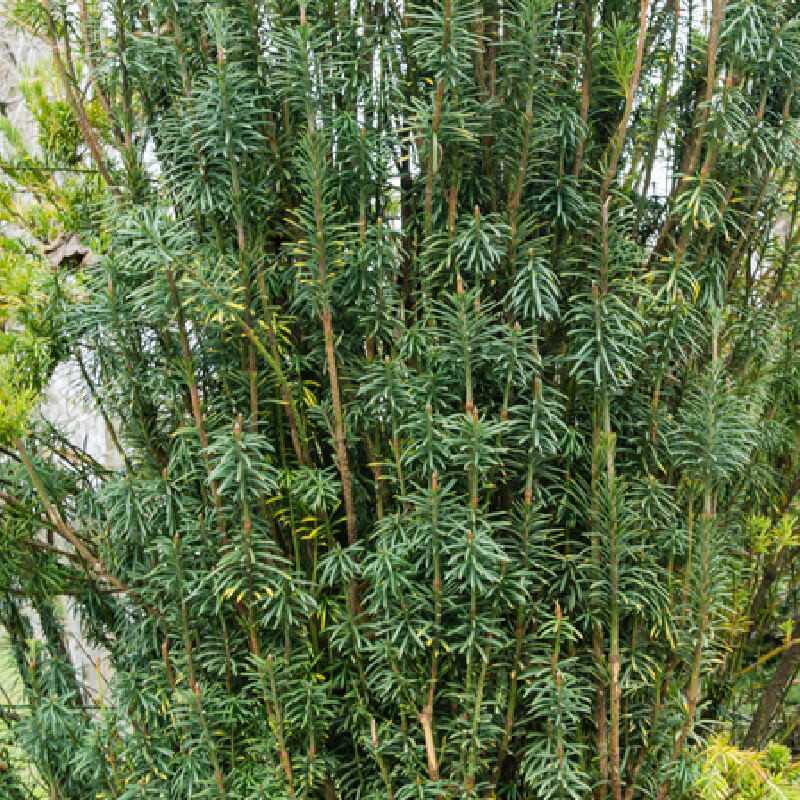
column 38, row 201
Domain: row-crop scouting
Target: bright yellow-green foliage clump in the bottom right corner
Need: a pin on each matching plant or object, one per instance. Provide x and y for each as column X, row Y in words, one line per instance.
column 728, row 773
